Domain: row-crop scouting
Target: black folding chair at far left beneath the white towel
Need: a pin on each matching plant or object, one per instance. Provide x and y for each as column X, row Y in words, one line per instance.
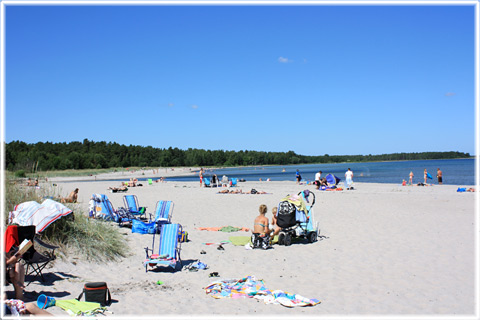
column 36, row 258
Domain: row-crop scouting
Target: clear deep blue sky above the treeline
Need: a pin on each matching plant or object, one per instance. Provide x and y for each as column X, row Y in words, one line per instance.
column 313, row 79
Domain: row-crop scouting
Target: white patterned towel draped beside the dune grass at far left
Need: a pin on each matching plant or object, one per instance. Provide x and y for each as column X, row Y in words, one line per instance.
column 40, row 215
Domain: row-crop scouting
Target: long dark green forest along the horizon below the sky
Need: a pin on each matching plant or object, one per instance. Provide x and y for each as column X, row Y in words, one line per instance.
column 45, row 156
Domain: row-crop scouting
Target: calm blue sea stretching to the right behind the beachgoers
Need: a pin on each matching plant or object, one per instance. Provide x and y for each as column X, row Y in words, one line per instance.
column 455, row 171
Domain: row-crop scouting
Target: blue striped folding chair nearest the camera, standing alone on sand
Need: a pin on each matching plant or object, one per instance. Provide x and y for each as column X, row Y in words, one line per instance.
column 168, row 248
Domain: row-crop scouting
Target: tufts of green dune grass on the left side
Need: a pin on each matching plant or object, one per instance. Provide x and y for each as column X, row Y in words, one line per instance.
column 75, row 234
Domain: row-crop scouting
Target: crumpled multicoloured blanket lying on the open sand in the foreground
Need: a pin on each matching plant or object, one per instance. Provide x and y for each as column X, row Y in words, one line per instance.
column 250, row 287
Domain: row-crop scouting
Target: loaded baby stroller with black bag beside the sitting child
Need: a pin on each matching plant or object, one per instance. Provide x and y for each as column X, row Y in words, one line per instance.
column 295, row 217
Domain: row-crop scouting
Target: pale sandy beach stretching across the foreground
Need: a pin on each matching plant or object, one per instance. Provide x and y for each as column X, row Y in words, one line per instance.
column 383, row 250
